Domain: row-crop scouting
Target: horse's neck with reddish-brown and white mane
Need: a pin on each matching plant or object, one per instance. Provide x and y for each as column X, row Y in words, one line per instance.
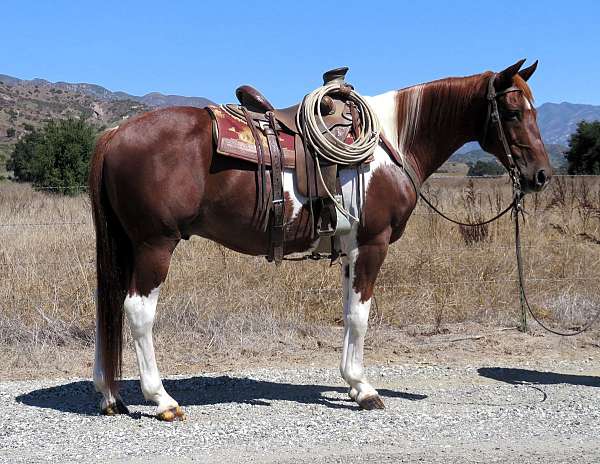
column 431, row 121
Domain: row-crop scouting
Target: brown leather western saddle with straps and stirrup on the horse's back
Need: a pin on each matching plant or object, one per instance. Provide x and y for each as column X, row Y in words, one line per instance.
column 340, row 118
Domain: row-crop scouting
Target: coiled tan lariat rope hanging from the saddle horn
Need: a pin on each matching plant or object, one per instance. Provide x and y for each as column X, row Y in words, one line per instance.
column 324, row 145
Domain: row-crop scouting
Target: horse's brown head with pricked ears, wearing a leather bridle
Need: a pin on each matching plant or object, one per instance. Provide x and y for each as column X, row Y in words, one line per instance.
column 509, row 98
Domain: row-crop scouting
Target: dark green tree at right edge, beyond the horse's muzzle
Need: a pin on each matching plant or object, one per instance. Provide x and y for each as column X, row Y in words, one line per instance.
column 583, row 156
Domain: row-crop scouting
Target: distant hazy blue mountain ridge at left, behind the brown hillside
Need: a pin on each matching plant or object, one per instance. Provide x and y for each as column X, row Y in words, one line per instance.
column 153, row 99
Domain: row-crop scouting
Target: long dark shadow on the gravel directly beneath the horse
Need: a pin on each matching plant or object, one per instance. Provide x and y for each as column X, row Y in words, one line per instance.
column 81, row 398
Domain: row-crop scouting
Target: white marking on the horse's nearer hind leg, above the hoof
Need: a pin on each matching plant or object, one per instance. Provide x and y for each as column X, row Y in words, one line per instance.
column 140, row 311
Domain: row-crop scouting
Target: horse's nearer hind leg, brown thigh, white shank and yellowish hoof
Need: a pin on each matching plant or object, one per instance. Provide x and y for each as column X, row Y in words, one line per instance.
column 151, row 264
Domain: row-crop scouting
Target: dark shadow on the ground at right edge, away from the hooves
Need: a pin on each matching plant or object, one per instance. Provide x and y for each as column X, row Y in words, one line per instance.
column 526, row 376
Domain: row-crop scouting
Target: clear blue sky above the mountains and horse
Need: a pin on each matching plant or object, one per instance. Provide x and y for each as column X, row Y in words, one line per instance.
column 208, row 48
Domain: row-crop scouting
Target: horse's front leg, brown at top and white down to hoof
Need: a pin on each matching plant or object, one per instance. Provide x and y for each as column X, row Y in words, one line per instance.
column 359, row 271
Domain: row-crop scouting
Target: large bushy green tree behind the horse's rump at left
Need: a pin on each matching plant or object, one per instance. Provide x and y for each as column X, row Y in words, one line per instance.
column 56, row 155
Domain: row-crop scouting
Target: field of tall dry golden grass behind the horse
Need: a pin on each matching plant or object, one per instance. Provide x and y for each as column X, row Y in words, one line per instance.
column 222, row 302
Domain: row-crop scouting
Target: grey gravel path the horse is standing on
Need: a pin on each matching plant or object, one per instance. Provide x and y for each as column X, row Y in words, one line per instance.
column 440, row 414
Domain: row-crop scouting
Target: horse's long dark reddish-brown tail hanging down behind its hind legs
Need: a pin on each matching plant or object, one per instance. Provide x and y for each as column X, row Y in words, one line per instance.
column 113, row 258
